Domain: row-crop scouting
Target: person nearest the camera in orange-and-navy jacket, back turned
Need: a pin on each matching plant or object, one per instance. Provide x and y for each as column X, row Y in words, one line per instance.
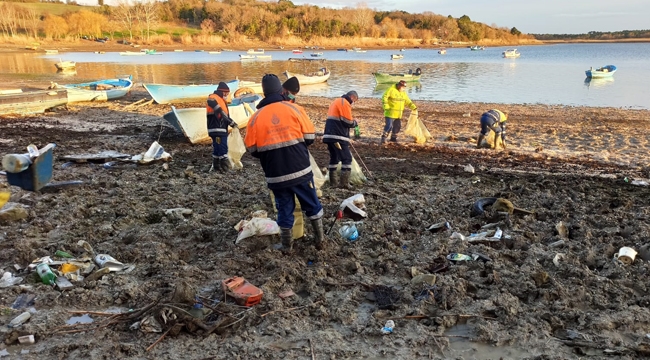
column 278, row 134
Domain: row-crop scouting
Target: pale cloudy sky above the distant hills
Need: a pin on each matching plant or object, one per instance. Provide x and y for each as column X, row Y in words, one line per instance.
column 541, row 16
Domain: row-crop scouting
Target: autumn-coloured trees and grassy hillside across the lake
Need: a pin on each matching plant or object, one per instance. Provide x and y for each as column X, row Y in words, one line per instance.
column 254, row 19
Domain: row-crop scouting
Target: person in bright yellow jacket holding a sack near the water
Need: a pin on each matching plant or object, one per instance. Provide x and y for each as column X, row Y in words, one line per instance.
column 393, row 101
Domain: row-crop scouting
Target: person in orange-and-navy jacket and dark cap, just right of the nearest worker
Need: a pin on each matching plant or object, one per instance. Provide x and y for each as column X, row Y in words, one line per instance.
column 337, row 137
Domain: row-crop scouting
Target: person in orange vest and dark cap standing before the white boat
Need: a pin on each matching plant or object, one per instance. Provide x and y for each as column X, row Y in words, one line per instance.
column 218, row 122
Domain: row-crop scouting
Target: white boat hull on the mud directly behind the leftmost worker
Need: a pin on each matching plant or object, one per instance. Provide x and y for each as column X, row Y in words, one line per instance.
column 191, row 121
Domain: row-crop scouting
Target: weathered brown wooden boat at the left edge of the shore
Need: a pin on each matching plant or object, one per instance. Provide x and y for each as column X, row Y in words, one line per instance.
column 32, row 102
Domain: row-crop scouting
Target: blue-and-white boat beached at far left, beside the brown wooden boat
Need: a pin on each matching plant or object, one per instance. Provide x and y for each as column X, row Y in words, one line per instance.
column 101, row 90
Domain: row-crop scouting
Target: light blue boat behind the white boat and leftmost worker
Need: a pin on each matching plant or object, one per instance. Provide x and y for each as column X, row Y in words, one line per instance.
column 165, row 94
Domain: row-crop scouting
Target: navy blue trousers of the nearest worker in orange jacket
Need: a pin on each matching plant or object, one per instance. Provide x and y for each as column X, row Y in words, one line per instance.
column 285, row 202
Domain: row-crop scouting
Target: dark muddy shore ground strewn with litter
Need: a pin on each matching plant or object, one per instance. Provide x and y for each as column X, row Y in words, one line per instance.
column 572, row 167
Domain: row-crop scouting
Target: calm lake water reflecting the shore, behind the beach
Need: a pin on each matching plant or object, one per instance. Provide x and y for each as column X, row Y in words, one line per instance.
column 548, row 74
